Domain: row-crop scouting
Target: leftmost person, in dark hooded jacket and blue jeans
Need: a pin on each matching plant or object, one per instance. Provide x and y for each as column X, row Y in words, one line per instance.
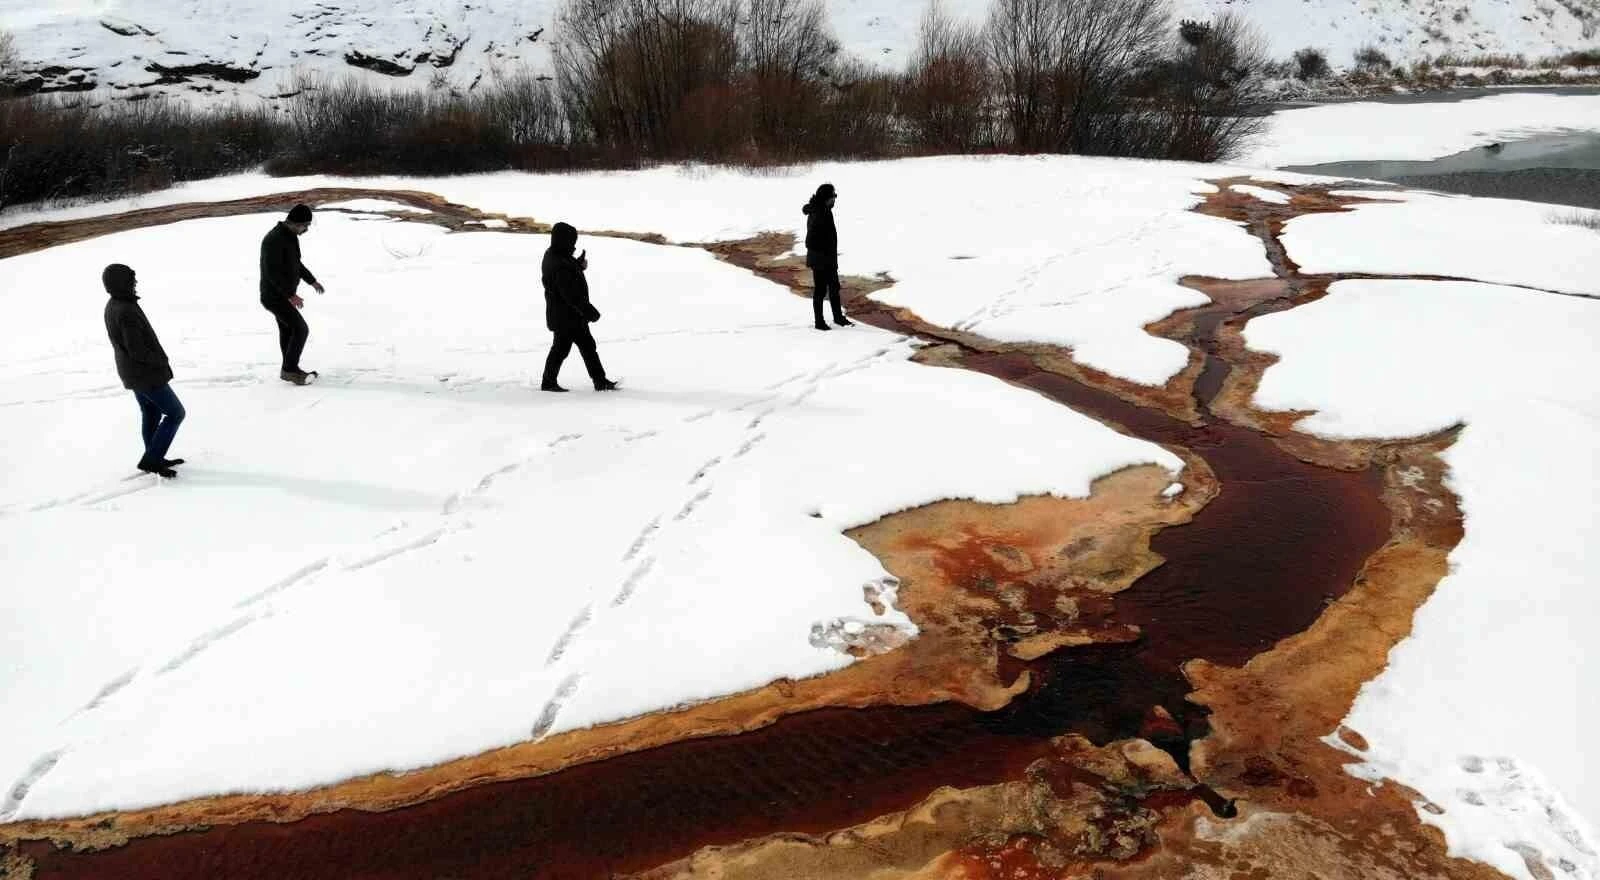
column 143, row 369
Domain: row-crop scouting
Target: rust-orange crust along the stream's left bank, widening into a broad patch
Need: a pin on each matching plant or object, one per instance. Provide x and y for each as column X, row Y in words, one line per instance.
column 948, row 558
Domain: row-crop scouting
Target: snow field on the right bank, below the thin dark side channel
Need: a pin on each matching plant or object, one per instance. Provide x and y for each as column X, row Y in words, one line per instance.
column 1487, row 710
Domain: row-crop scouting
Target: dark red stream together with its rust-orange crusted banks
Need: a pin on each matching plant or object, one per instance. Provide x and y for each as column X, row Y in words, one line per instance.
column 1255, row 586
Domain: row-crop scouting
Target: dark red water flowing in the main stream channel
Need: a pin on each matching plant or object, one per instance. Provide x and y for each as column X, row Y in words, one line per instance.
column 1257, row 566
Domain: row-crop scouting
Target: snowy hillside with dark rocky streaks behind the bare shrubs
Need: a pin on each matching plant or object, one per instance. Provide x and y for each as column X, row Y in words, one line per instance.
column 255, row 47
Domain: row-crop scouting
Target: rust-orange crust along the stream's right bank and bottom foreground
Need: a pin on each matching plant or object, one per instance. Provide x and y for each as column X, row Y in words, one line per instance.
column 1300, row 814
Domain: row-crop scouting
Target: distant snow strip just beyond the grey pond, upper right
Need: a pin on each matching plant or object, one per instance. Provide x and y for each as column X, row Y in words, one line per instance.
column 1370, row 130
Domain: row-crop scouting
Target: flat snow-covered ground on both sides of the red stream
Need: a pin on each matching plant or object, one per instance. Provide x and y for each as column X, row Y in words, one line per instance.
column 334, row 514
